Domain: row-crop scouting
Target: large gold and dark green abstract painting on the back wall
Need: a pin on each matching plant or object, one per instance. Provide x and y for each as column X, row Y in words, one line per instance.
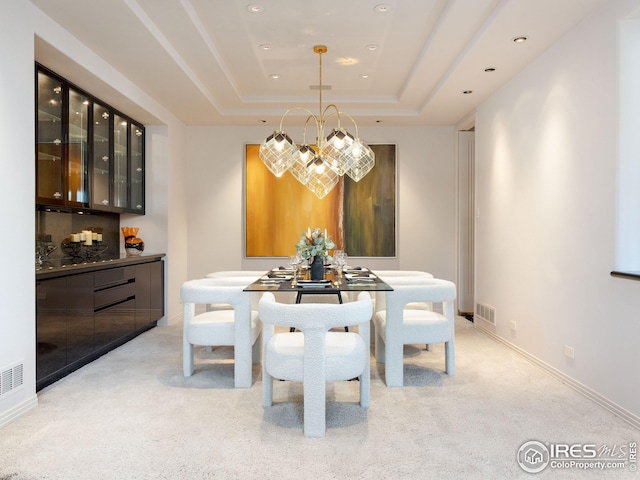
column 360, row 217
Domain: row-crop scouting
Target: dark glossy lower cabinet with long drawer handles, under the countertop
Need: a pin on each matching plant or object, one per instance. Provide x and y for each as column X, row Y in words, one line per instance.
column 82, row 316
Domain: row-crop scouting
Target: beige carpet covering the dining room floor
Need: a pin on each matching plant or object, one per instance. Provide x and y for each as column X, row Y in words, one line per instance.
column 132, row 415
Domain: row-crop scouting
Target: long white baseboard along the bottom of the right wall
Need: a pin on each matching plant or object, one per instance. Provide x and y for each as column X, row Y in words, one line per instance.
column 592, row 395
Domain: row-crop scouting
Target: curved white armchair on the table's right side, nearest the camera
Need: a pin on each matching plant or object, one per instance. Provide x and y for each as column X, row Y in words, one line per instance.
column 396, row 325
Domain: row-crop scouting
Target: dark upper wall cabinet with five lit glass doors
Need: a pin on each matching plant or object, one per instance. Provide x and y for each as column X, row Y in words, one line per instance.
column 88, row 155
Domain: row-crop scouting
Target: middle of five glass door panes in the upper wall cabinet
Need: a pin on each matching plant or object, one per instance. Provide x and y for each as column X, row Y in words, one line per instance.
column 101, row 192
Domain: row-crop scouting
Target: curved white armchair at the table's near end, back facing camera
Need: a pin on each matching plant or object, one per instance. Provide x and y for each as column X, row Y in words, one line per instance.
column 315, row 355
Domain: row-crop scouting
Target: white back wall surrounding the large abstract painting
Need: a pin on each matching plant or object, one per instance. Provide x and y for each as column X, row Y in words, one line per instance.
column 426, row 198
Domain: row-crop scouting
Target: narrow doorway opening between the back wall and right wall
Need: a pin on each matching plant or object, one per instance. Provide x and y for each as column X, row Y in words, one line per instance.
column 466, row 216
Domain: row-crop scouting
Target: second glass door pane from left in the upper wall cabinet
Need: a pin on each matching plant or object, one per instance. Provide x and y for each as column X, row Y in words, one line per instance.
column 77, row 165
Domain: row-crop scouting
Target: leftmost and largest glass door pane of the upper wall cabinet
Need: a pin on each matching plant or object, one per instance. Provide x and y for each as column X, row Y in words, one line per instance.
column 50, row 137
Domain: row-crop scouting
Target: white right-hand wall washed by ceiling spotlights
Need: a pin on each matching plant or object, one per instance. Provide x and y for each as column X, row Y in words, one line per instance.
column 546, row 188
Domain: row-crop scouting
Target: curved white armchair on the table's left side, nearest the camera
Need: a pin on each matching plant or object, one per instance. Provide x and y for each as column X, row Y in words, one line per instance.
column 238, row 326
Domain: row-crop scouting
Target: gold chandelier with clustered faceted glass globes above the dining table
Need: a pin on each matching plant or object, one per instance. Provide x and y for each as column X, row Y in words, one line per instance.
column 320, row 166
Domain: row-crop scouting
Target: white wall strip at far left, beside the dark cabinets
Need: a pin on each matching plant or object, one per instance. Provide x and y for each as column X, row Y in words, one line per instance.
column 17, row 187
